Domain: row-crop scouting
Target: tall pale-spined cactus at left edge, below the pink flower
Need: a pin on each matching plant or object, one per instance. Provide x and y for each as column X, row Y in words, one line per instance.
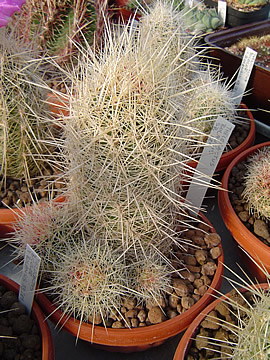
column 22, row 109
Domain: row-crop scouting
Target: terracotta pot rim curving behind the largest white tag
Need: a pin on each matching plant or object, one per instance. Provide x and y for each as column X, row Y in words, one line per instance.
column 228, row 156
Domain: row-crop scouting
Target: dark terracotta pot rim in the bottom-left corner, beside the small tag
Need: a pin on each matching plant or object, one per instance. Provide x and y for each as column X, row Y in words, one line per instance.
column 38, row 317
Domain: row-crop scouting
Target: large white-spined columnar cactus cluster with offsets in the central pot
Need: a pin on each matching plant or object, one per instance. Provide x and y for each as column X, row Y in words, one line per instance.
column 126, row 141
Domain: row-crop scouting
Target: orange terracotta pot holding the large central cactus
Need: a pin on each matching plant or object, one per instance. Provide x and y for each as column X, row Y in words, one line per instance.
column 136, row 339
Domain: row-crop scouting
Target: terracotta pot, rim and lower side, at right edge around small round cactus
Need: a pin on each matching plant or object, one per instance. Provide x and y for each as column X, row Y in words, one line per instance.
column 249, row 242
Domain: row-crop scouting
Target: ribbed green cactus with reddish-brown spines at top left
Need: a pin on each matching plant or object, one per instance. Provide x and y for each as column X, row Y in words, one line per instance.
column 55, row 24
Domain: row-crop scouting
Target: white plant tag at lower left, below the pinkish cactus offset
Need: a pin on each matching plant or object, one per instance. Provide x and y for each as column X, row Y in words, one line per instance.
column 29, row 278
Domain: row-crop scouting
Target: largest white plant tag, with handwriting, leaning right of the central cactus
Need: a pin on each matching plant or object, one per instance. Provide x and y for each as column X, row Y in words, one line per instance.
column 207, row 164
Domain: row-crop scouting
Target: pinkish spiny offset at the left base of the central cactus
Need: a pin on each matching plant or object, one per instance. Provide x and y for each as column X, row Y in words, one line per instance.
column 47, row 229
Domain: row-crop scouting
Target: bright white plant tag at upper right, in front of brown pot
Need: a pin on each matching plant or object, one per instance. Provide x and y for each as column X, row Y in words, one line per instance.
column 244, row 74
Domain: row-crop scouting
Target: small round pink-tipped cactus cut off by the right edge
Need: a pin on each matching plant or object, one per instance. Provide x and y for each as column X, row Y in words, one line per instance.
column 257, row 184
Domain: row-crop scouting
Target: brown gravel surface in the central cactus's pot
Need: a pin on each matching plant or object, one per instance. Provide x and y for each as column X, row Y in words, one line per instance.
column 196, row 265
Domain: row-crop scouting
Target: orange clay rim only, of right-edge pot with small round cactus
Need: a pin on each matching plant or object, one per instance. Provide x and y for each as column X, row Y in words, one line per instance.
column 239, row 232
